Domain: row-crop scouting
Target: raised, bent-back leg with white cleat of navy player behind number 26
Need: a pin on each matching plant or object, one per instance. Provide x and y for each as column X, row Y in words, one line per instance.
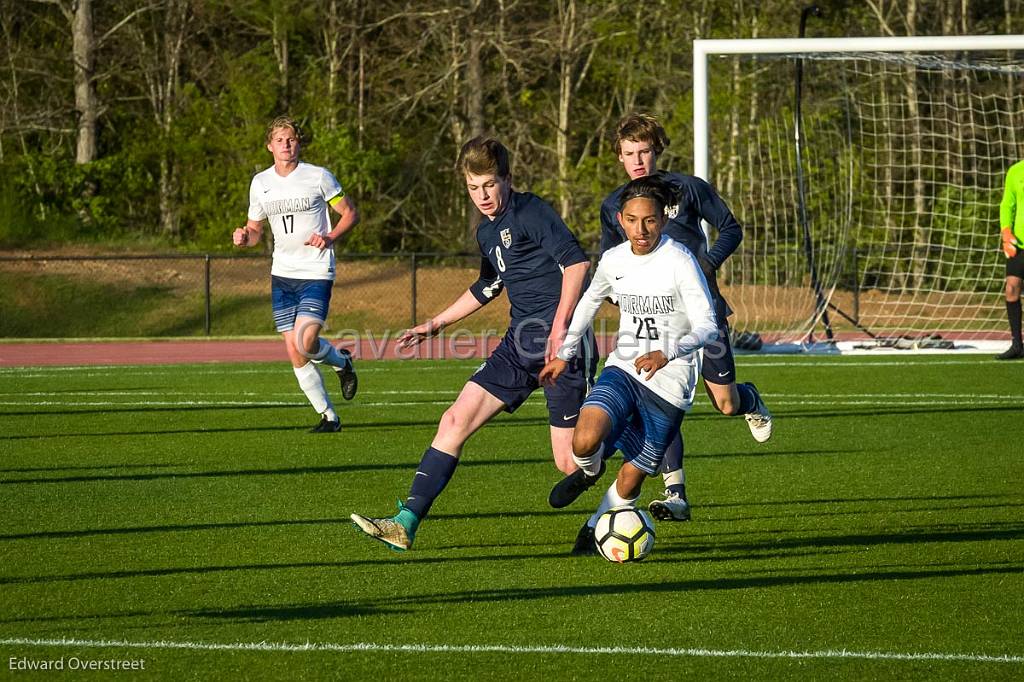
column 719, row 372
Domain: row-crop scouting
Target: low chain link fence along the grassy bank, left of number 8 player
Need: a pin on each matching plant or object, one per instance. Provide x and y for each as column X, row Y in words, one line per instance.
column 199, row 295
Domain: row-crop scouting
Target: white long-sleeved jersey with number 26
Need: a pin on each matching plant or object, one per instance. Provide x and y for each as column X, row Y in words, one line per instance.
column 664, row 305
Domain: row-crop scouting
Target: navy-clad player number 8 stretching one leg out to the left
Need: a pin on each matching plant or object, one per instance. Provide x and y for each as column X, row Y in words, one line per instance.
column 529, row 251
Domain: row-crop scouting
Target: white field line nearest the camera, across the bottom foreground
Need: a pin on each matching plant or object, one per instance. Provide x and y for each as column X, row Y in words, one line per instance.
column 505, row 649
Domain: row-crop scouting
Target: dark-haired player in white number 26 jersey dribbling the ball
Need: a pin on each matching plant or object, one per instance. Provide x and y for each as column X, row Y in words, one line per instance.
column 648, row 385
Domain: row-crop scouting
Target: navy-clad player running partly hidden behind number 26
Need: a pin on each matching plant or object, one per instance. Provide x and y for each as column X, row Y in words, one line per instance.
column 639, row 142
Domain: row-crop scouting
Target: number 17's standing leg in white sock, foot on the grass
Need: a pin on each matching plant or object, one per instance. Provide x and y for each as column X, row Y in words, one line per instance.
column 285, row 295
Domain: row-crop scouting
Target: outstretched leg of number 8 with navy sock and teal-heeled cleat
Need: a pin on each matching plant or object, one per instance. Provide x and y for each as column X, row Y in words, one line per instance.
column 475, row 408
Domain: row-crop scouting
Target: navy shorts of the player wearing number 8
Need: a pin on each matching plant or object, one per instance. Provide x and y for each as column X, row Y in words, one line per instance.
column 511, row 376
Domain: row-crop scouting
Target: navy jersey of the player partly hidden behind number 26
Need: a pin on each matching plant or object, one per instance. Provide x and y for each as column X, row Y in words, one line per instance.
column 699, row 201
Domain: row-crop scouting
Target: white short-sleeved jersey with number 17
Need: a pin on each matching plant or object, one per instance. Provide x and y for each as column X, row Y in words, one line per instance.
column 296, row 207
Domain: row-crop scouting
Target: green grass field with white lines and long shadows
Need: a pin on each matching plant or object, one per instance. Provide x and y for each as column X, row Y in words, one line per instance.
column 182, row 516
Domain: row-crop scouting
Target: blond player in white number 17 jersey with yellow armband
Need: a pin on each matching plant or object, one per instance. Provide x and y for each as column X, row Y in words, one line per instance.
column 293, row 197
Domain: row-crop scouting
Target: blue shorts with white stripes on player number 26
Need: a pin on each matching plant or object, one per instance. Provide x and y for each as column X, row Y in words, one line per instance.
column 643, row 423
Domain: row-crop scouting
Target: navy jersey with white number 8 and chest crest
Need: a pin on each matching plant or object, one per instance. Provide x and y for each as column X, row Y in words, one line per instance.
column 525, row 250
